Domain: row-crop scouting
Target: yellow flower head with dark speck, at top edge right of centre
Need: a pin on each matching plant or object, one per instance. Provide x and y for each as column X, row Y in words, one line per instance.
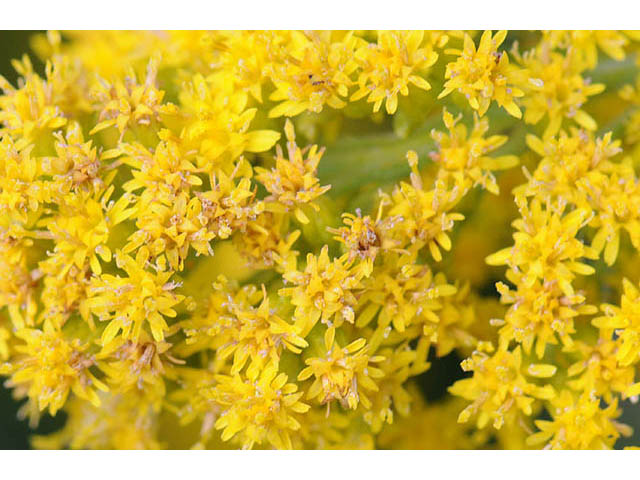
column 484, row 75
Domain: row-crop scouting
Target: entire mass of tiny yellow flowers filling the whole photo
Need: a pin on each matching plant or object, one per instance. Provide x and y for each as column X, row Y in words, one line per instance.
column 182, row 267
